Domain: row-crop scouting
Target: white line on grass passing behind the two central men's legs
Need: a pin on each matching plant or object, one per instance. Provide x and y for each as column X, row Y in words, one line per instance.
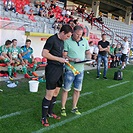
column 27, row 110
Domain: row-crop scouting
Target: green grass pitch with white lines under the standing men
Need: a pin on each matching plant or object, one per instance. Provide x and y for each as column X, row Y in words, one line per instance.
column 20, row 110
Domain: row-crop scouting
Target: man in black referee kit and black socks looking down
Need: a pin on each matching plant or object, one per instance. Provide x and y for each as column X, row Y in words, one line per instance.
column 53, row 51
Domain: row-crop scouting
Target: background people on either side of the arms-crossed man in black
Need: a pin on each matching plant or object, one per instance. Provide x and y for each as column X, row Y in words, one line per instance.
column 115, row 55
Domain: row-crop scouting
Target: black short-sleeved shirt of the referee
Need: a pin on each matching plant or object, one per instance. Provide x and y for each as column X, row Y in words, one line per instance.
column 55, row 47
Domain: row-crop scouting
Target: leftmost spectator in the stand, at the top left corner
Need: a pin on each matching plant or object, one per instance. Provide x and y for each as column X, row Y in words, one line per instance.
column 9, row 5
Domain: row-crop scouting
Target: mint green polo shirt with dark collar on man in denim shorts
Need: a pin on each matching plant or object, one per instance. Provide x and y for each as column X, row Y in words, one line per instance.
column 76, row 50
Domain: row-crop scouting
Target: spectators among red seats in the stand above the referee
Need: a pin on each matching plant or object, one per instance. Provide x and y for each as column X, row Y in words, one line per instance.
column 47, row 9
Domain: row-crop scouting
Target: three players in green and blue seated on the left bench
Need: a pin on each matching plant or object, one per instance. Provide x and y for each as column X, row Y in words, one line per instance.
column 12, row 55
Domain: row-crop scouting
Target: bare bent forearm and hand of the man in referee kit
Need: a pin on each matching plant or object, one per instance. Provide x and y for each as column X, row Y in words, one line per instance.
column 46, row 54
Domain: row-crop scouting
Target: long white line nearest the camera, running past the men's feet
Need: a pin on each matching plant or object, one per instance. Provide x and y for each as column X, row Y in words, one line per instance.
column 83, row 114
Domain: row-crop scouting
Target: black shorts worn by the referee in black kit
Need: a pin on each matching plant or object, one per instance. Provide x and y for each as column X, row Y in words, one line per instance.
column 54, row 76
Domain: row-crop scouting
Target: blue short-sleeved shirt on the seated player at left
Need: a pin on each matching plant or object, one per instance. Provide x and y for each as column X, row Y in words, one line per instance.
column 25, row 49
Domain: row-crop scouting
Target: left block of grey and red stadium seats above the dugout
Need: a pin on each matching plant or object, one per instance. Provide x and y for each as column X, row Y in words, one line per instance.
column 33, row 23
